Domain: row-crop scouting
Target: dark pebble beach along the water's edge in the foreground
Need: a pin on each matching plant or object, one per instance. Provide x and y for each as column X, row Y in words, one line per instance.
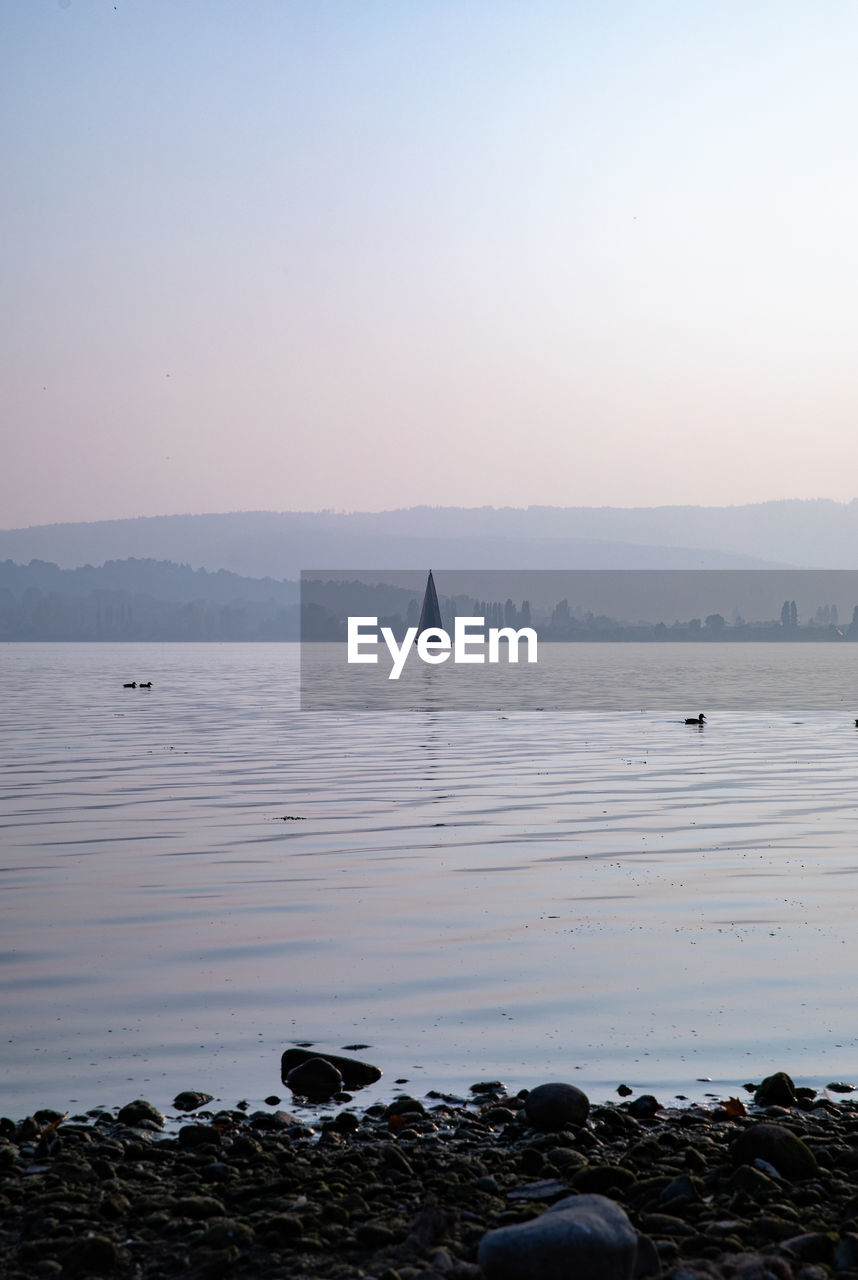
column 763, row 1187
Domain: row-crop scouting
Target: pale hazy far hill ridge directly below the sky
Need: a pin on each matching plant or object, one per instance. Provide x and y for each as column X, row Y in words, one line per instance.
column 791, row 533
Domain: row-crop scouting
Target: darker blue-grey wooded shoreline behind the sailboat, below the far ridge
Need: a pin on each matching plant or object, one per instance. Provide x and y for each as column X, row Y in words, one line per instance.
column 154, row 601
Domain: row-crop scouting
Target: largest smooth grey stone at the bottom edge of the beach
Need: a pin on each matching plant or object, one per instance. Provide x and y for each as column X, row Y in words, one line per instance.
column 583, row 1237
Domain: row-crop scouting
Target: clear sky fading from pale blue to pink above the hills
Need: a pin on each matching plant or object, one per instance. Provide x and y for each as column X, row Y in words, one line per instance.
column 373, row 254
